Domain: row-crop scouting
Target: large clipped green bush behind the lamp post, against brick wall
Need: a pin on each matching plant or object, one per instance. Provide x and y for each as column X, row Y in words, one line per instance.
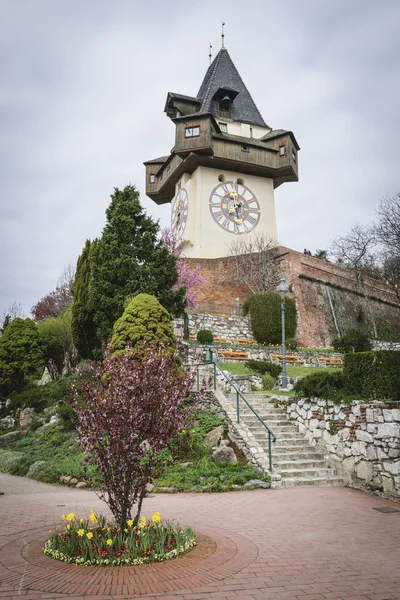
column 266, row 317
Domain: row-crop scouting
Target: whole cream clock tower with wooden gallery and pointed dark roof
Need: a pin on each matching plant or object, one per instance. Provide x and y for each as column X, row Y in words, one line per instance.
column 226, row 162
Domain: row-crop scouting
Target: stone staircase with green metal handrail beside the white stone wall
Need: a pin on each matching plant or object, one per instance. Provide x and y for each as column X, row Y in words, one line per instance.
column 293, row 458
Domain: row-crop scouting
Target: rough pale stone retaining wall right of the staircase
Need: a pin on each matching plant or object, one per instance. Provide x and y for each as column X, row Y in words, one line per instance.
column 363, row 440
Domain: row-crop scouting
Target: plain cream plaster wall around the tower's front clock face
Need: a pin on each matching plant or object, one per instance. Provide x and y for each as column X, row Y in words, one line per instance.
column 204, row 238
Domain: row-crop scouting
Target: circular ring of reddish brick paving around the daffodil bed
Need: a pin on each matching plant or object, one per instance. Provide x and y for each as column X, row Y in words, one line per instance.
column 217, row 555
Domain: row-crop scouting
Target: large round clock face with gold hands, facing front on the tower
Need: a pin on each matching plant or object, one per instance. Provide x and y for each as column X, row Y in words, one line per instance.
column 234, row 207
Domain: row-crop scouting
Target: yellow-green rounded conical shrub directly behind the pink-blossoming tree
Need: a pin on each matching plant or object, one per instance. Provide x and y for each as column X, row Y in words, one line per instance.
column 144, row 322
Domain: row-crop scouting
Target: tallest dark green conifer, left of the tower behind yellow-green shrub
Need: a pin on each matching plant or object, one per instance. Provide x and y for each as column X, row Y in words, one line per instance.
column 130, row 259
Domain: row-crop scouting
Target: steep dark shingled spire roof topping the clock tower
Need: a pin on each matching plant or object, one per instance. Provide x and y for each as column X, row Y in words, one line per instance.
column 222, row 73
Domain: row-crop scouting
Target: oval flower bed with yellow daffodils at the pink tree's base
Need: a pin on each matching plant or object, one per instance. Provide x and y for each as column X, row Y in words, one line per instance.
column 94, row 541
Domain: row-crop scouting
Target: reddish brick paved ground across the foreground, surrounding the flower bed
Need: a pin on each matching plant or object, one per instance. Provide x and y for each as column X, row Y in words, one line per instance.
column 297, row 544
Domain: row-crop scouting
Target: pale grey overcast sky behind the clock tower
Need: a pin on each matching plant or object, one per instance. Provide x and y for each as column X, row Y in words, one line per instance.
column 82, row 90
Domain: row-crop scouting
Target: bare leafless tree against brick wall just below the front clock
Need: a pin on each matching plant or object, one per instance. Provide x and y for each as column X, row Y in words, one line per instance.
column 255, row 262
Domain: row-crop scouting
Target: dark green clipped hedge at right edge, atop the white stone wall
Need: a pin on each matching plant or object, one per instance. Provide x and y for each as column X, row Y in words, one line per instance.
column 374, row 375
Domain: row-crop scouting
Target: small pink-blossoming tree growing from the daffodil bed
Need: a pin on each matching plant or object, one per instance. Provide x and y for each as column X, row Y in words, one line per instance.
column 130, row 411
